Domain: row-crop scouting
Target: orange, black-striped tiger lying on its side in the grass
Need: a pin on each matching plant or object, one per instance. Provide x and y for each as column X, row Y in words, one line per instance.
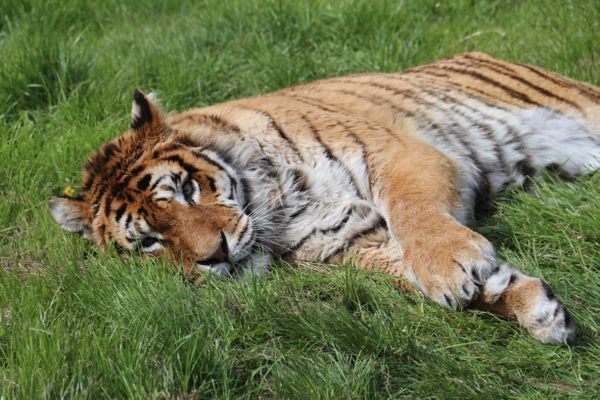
column 384, row 171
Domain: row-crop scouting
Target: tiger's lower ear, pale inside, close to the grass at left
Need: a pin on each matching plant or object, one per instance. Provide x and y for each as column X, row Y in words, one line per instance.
column 71, row 215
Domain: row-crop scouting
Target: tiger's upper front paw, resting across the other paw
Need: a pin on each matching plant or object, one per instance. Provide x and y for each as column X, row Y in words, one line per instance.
column 453, row 270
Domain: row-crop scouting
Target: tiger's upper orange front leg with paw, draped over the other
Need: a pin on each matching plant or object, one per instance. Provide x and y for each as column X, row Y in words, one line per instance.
column 419, row 196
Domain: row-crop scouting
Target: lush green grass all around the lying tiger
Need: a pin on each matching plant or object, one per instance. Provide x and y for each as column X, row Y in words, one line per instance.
column 75, row 323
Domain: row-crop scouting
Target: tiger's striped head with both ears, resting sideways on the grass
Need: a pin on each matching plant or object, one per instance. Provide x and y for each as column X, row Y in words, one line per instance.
column 162, row 193
